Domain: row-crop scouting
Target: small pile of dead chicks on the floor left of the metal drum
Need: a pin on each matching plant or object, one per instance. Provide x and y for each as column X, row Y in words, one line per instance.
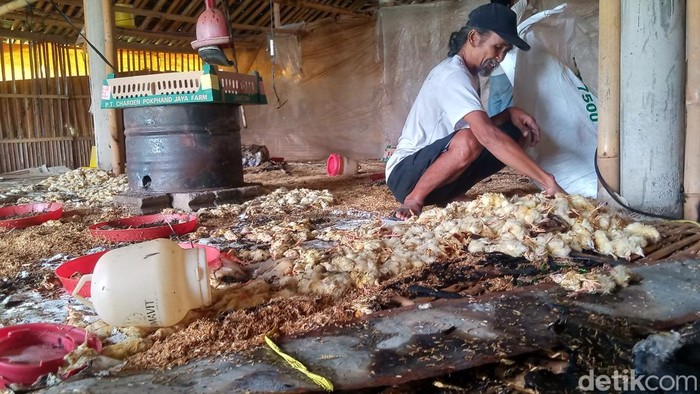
column 82, row 186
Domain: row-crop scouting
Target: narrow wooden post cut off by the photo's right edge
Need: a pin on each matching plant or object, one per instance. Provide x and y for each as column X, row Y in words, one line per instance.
column 691, row 207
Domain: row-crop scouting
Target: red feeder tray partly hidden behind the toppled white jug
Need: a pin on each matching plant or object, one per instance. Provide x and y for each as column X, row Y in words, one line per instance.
column 85, row 265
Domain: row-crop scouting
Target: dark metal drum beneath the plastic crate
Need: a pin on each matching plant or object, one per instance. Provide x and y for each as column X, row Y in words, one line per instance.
column 183, row 148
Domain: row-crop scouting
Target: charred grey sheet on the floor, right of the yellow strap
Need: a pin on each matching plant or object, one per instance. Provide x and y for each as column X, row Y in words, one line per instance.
column 426, row 341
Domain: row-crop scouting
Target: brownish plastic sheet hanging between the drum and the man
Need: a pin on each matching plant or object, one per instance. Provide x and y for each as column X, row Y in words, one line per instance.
column 326, row 94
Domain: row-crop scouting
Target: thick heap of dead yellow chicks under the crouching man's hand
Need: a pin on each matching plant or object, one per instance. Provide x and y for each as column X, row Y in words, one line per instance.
column 536, row 226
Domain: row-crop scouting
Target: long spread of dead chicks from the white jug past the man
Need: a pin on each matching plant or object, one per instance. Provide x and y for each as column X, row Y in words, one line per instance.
column 531, row 226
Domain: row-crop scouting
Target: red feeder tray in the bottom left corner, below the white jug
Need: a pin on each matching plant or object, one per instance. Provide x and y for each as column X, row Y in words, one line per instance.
column 28, row 351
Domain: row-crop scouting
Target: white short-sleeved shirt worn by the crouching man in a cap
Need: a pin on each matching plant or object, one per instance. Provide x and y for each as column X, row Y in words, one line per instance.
column 448, row 94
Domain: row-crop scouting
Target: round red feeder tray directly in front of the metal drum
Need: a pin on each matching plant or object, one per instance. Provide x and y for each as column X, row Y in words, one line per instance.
column 137, row 228
